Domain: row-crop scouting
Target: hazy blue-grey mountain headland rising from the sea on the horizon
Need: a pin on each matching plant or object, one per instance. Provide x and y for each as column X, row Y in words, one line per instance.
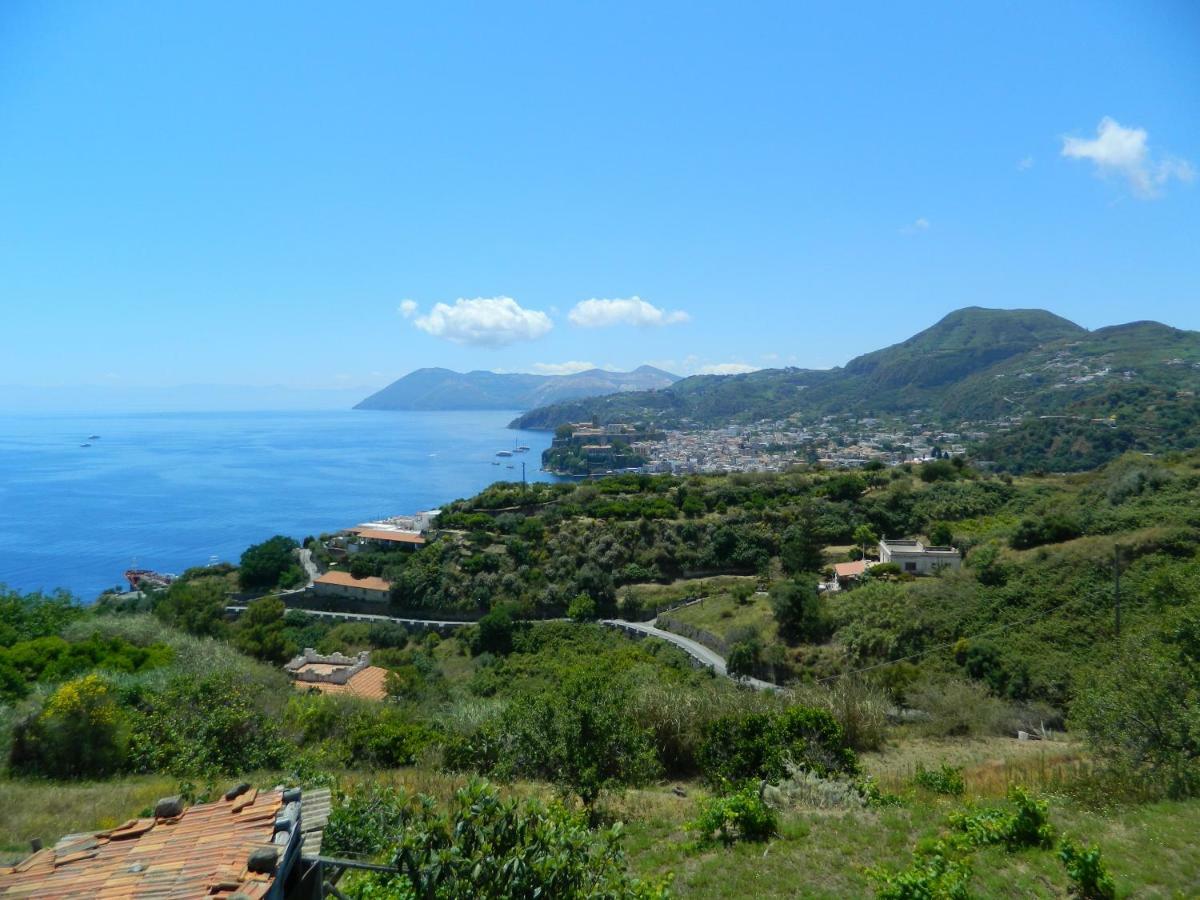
column 445, row 389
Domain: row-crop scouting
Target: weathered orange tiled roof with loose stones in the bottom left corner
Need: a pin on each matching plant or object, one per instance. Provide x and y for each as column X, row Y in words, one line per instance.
column 201, row 854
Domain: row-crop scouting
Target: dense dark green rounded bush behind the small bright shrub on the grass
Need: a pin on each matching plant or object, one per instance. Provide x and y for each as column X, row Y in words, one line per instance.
column 759, row 746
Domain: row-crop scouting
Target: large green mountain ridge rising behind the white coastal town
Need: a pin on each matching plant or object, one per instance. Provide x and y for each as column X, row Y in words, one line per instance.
column 977, row 365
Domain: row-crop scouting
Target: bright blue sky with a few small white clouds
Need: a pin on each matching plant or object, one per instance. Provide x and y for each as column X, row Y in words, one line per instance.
column 248, row 194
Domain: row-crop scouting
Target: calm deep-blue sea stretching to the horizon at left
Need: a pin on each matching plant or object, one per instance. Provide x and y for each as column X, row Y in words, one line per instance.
column 175, row 490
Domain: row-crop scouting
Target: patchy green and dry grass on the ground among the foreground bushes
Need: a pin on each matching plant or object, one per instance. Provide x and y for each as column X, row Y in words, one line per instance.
column 1149, row 849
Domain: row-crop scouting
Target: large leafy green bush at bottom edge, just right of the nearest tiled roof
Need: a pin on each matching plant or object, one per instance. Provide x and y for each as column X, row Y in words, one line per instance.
column 483, row 845
